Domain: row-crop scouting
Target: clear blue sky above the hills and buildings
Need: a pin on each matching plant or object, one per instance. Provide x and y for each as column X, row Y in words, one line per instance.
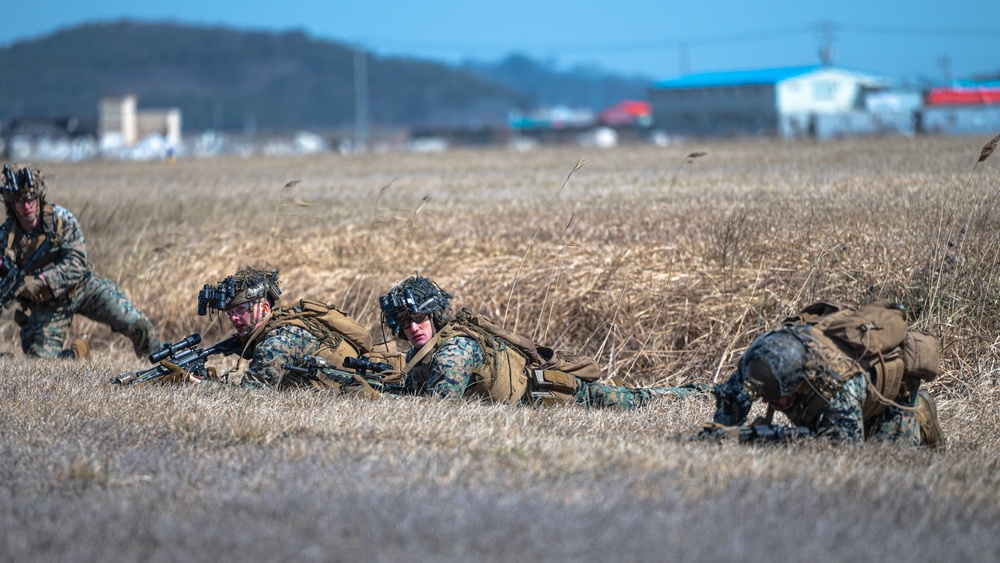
column 660, row 39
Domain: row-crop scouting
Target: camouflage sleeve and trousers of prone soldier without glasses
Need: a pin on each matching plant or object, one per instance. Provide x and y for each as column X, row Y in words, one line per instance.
column 452, row 365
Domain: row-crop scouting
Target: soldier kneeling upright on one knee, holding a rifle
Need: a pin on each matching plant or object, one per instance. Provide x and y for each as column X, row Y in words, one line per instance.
column 60, row 281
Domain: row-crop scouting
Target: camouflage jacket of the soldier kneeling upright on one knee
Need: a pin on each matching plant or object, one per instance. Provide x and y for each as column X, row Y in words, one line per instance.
column 65, row 265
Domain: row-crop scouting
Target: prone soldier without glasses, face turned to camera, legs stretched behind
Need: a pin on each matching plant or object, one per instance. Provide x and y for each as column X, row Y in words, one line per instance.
column 456, row 356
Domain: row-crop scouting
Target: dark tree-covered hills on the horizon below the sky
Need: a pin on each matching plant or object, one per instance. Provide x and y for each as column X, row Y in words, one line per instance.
column 227, row 79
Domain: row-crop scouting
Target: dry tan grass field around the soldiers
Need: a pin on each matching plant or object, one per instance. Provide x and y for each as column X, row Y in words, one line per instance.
column 661, row 266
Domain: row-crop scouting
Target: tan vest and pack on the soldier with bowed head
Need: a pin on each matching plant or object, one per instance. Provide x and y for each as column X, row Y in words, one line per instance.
column 843, row 343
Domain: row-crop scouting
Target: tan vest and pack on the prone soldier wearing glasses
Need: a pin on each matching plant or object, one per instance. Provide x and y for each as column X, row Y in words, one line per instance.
column 340, row 336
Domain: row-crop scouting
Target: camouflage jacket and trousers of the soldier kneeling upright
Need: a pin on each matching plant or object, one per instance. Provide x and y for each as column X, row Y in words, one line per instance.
column 74, row 287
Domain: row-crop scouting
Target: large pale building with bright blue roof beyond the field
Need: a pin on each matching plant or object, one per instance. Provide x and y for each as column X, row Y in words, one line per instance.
column 780, row 102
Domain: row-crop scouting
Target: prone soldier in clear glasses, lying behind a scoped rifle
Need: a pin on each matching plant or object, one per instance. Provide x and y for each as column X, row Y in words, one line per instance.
column 275, row 338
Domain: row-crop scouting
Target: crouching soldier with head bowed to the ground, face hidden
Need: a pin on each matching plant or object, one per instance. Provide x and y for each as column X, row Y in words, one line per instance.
column 850, row 376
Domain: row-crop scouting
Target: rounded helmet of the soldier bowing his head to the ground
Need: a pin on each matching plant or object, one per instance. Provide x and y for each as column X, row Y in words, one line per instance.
column 774, row 365
